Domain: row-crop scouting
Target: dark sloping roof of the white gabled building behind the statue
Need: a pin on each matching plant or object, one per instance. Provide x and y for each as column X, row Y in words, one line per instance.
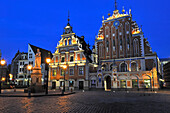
column 44, row 53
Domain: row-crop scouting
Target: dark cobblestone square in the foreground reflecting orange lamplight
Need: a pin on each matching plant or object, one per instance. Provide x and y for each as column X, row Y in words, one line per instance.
column 90, row 102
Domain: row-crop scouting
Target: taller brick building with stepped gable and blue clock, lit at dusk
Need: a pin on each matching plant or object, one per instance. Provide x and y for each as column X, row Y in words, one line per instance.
column 124, row 56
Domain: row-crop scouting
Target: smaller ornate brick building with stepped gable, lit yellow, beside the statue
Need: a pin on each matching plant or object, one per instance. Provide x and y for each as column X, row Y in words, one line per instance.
column 71, row 51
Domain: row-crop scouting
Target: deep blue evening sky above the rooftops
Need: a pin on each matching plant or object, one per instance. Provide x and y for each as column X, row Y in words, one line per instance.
column 41, row 22
